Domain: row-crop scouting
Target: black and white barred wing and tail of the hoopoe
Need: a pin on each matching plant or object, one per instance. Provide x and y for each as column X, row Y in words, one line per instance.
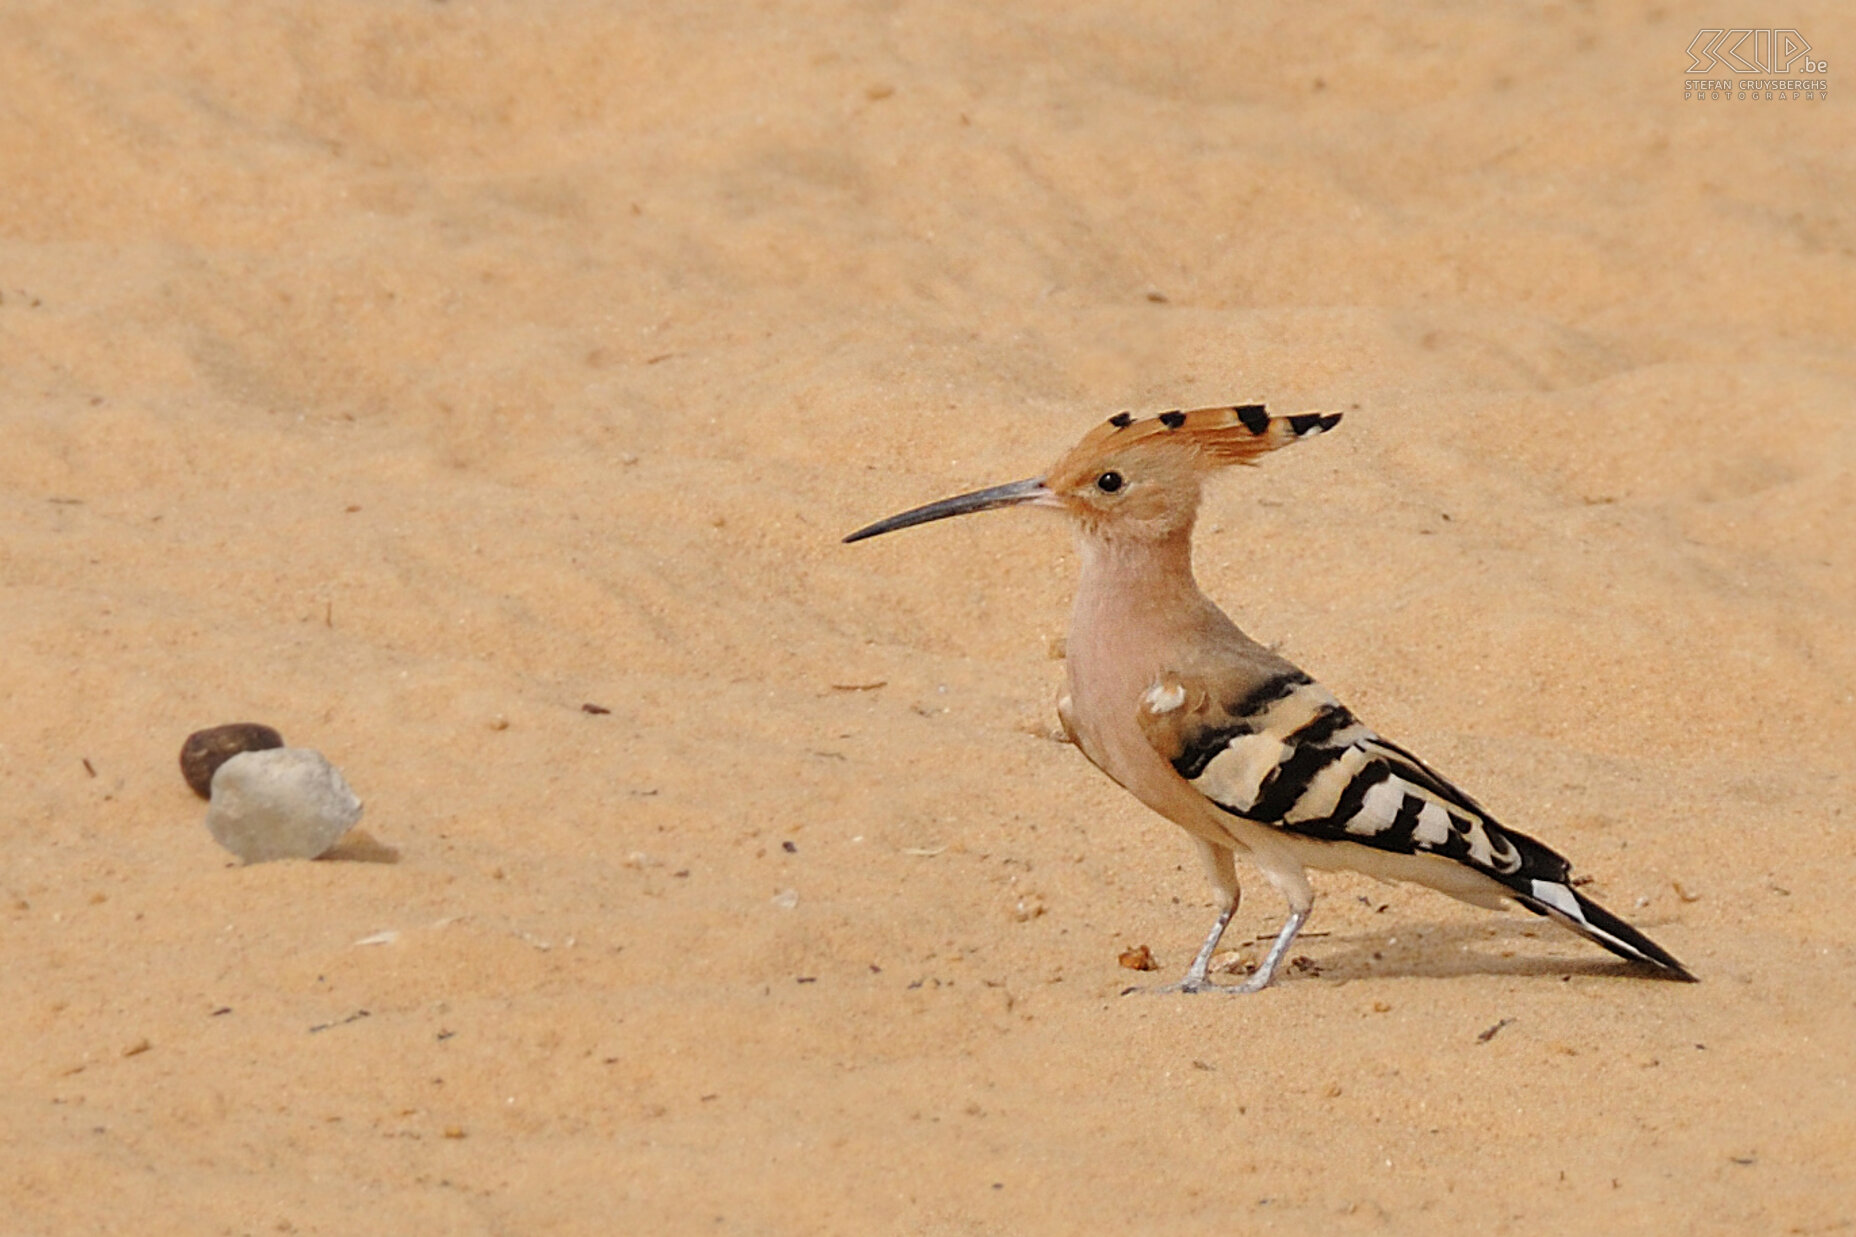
column 1285, row 753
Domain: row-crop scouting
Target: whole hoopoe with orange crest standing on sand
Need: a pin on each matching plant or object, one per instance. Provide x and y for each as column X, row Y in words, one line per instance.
column 1228, row 738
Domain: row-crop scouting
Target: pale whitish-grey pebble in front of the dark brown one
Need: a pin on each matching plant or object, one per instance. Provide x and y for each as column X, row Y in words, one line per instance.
column 279, row 803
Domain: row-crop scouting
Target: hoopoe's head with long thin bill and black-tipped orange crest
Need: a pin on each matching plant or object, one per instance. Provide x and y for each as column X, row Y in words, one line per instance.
column 1135, row 478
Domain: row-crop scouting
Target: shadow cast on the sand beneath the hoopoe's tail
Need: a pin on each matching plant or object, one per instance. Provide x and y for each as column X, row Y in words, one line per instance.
column 1437, row 950
